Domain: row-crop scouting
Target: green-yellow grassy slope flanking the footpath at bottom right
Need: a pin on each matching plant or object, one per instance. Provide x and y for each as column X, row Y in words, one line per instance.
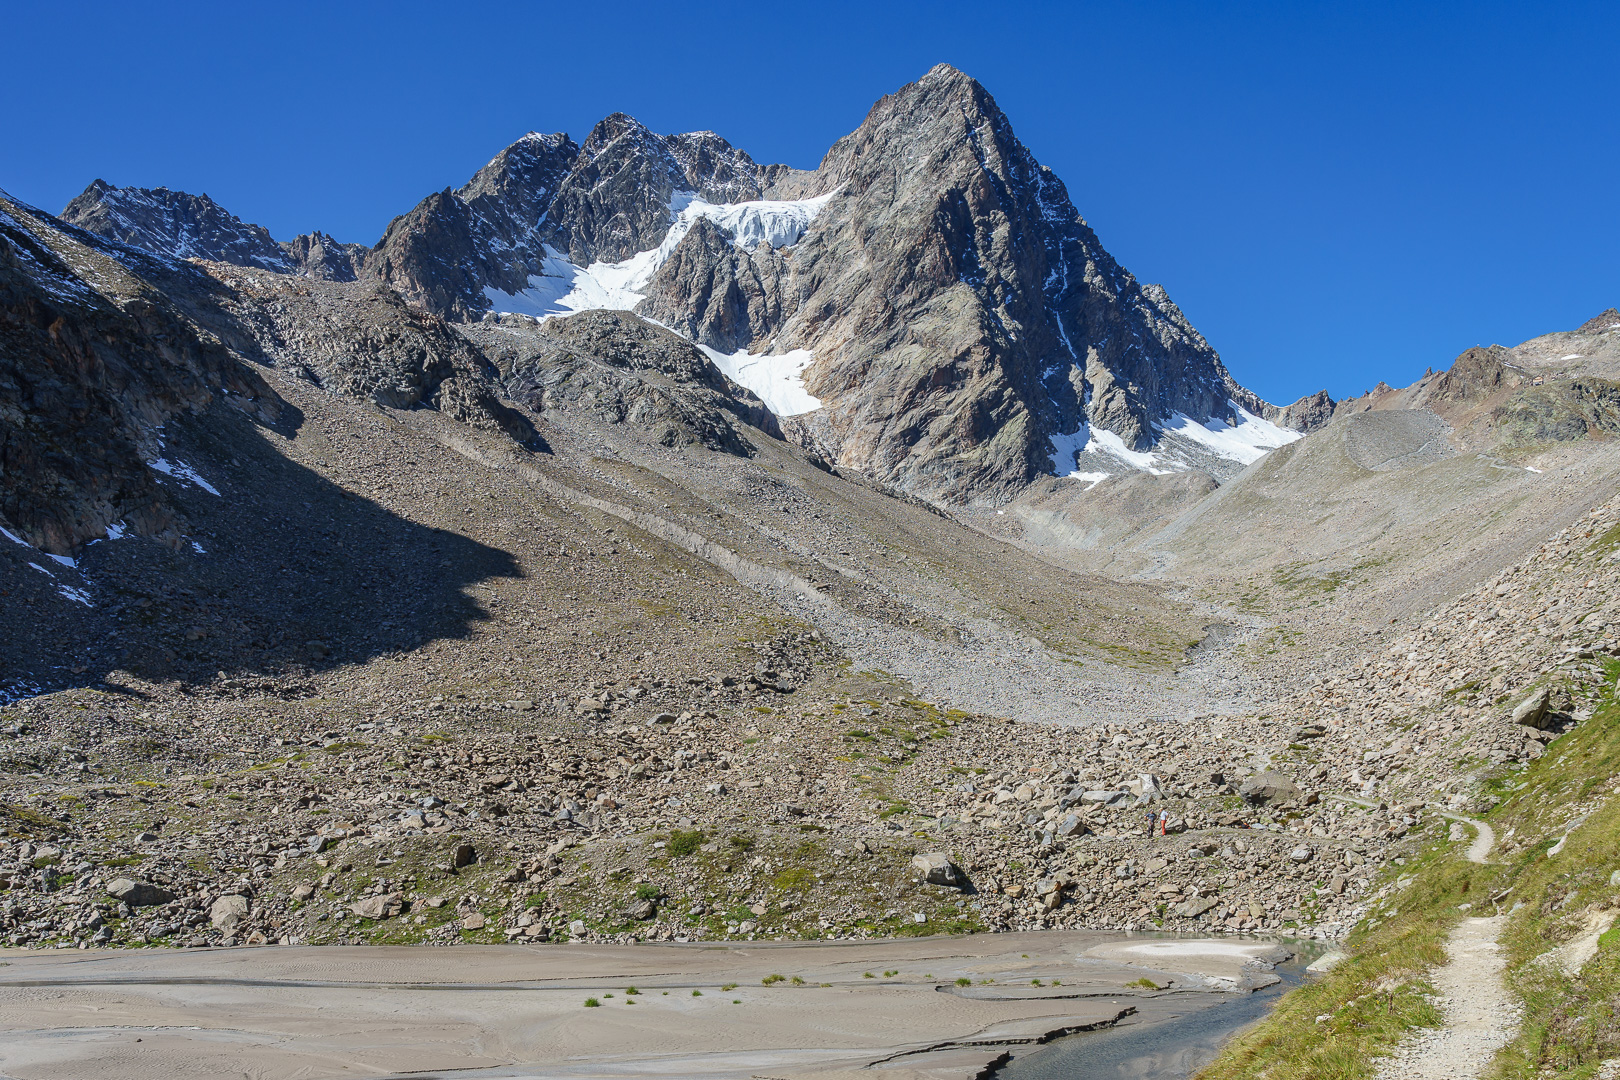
column 1336, row 1027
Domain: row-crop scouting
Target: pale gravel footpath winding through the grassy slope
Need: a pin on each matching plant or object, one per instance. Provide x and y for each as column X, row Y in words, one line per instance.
column 1480, row 1016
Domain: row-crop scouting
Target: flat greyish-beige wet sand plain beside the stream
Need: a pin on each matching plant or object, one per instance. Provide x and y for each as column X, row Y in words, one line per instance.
column 514, row 1011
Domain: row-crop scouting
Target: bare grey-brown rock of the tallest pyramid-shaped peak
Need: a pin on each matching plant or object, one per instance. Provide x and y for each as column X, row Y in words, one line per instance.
column 960, row 310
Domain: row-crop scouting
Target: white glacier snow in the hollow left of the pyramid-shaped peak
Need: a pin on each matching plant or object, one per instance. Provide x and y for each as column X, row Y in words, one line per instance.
column 566, row 289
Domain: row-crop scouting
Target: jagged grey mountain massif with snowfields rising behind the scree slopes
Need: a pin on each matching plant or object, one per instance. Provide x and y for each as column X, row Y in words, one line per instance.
column 927, row 307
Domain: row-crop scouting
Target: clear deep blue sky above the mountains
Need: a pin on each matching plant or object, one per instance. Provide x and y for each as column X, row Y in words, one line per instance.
column 1336, row 193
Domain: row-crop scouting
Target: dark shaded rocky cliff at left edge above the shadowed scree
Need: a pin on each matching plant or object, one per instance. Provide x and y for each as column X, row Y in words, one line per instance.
column 95, row 359
